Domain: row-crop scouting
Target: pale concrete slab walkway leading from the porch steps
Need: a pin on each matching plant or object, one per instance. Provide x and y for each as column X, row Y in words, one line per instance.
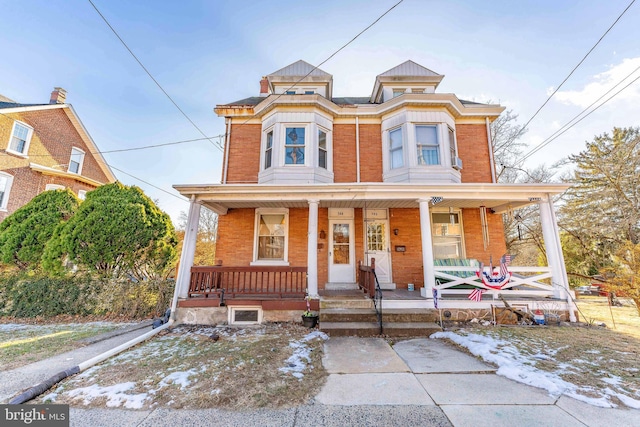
column 426, row 372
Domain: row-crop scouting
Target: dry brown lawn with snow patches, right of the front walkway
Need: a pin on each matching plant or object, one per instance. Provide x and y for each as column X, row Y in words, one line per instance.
column 596, row 364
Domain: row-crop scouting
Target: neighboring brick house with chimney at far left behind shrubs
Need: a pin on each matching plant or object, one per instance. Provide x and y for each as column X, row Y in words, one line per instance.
column 43, row 147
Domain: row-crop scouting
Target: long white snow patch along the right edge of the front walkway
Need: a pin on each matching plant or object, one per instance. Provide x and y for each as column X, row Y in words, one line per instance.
column 521, row 368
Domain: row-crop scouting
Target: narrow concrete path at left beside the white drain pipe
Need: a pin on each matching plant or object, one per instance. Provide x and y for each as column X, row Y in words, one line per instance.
column 13, row 382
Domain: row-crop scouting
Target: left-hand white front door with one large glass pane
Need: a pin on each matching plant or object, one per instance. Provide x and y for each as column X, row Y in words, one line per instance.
column 342, row 265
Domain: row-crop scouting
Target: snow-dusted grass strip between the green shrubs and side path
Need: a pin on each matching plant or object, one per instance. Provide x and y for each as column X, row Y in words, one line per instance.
column 21, row 344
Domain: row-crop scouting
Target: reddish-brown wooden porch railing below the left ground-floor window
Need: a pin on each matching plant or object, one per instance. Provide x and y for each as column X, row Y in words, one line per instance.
column 250, row 281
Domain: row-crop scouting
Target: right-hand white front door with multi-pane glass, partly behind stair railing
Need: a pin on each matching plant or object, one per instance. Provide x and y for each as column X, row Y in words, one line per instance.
column 378, row 247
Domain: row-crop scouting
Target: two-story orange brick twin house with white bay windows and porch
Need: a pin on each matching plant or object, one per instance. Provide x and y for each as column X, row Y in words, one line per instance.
column 402, row 181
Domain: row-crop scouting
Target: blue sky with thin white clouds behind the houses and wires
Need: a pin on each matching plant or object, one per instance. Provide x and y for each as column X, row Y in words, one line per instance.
column 205, row 53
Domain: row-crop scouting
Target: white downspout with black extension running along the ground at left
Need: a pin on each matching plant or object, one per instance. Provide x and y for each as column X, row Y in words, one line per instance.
column 38, row 389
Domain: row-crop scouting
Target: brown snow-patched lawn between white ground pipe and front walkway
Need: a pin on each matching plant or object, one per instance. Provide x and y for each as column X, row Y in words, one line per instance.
column 276, row 365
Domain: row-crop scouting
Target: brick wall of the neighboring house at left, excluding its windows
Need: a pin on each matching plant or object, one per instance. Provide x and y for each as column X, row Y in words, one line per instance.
column 53, row 137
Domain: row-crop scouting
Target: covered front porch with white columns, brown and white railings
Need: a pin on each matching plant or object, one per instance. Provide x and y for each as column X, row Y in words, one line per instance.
column 451, row 283
